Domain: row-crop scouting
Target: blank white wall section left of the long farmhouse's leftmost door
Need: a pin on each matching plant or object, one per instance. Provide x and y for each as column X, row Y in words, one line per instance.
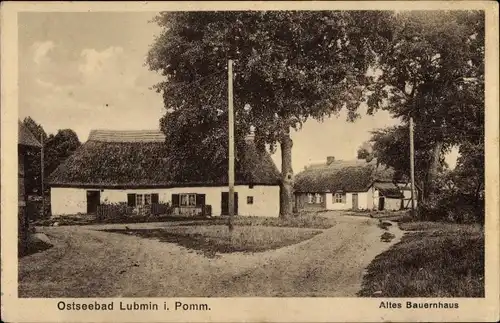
column 65, row 201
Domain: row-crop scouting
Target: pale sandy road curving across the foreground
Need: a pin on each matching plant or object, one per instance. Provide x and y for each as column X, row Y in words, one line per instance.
column 85, row 262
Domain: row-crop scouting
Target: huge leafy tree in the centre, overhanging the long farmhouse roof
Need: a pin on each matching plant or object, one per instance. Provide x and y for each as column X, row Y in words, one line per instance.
column 289, row 67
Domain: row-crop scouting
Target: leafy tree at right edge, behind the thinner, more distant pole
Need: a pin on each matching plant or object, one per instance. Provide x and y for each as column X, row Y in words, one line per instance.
column 431, row 69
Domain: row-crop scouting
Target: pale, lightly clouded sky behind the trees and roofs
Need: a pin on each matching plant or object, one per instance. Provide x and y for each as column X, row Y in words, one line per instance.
column 86, row 71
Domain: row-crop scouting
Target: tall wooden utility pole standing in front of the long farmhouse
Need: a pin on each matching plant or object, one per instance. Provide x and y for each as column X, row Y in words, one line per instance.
column 231, row 144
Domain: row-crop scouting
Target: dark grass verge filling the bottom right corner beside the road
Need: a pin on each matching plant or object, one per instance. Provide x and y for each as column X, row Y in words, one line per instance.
column 440, row 260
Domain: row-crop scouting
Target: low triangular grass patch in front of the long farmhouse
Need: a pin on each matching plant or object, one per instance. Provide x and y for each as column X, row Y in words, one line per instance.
column 213, row 239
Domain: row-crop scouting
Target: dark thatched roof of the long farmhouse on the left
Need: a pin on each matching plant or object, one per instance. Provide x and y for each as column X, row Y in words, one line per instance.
column 126, row 159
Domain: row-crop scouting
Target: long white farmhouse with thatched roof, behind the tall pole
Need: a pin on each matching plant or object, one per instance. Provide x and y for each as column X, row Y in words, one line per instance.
column 134, row 167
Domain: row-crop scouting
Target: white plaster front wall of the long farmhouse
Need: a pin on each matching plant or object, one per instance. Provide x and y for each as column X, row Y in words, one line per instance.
column 265, row 198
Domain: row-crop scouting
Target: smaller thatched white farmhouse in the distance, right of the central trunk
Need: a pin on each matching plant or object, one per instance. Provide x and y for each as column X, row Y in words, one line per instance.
column 349, row 185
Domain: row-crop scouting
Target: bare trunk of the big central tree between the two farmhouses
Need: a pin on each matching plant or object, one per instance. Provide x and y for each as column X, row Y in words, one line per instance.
column 286, row 189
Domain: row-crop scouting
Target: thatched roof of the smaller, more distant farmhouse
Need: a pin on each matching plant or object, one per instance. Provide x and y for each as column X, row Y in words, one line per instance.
column 340, row 175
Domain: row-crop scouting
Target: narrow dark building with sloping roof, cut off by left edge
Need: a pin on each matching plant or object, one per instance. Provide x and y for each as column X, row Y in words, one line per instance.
column 25, row 141
